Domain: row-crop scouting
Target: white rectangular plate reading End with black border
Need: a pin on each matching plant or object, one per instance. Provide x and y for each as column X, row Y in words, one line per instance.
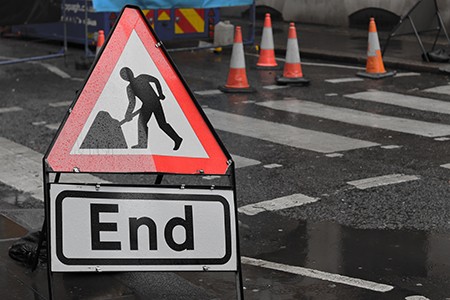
column 111, row 228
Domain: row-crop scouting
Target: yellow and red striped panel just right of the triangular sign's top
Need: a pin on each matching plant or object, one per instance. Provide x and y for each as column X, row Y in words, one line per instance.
column 189, row 20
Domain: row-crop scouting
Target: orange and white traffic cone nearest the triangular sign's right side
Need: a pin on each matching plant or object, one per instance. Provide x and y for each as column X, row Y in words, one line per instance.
column 237, row 76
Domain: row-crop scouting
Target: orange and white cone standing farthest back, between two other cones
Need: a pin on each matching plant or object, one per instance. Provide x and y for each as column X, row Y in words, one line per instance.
column 267, row 53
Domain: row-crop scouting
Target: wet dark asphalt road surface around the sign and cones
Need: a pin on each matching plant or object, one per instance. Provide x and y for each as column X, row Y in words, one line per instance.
column 395, row 235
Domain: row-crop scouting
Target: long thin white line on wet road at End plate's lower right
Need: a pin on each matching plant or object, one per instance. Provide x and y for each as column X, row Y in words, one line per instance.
column 336, row 278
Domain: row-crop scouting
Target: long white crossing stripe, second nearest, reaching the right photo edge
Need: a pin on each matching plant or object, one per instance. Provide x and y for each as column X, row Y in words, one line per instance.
column 357, row 117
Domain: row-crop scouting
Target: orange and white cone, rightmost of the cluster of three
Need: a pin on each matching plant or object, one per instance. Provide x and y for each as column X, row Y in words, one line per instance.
column 292, row 72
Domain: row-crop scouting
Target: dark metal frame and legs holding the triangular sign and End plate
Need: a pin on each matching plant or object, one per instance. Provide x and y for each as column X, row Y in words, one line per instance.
column 48, row 173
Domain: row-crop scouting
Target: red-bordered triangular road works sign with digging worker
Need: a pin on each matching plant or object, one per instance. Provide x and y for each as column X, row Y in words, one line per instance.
column 135, row 113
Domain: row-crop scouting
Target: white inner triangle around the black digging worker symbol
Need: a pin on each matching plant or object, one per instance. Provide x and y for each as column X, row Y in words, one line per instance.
column 114, row 101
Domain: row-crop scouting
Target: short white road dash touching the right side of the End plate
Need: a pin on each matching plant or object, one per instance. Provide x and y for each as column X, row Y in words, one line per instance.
column 276, row 204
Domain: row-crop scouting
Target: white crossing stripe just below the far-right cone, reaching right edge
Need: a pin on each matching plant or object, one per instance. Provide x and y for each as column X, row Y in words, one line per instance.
column 414, row 102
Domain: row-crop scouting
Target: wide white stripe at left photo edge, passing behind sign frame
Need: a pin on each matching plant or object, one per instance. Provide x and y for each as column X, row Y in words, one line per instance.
column 21, row 169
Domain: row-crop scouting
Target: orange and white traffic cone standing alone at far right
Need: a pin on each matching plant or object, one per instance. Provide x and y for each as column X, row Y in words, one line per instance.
column 374, row 66
